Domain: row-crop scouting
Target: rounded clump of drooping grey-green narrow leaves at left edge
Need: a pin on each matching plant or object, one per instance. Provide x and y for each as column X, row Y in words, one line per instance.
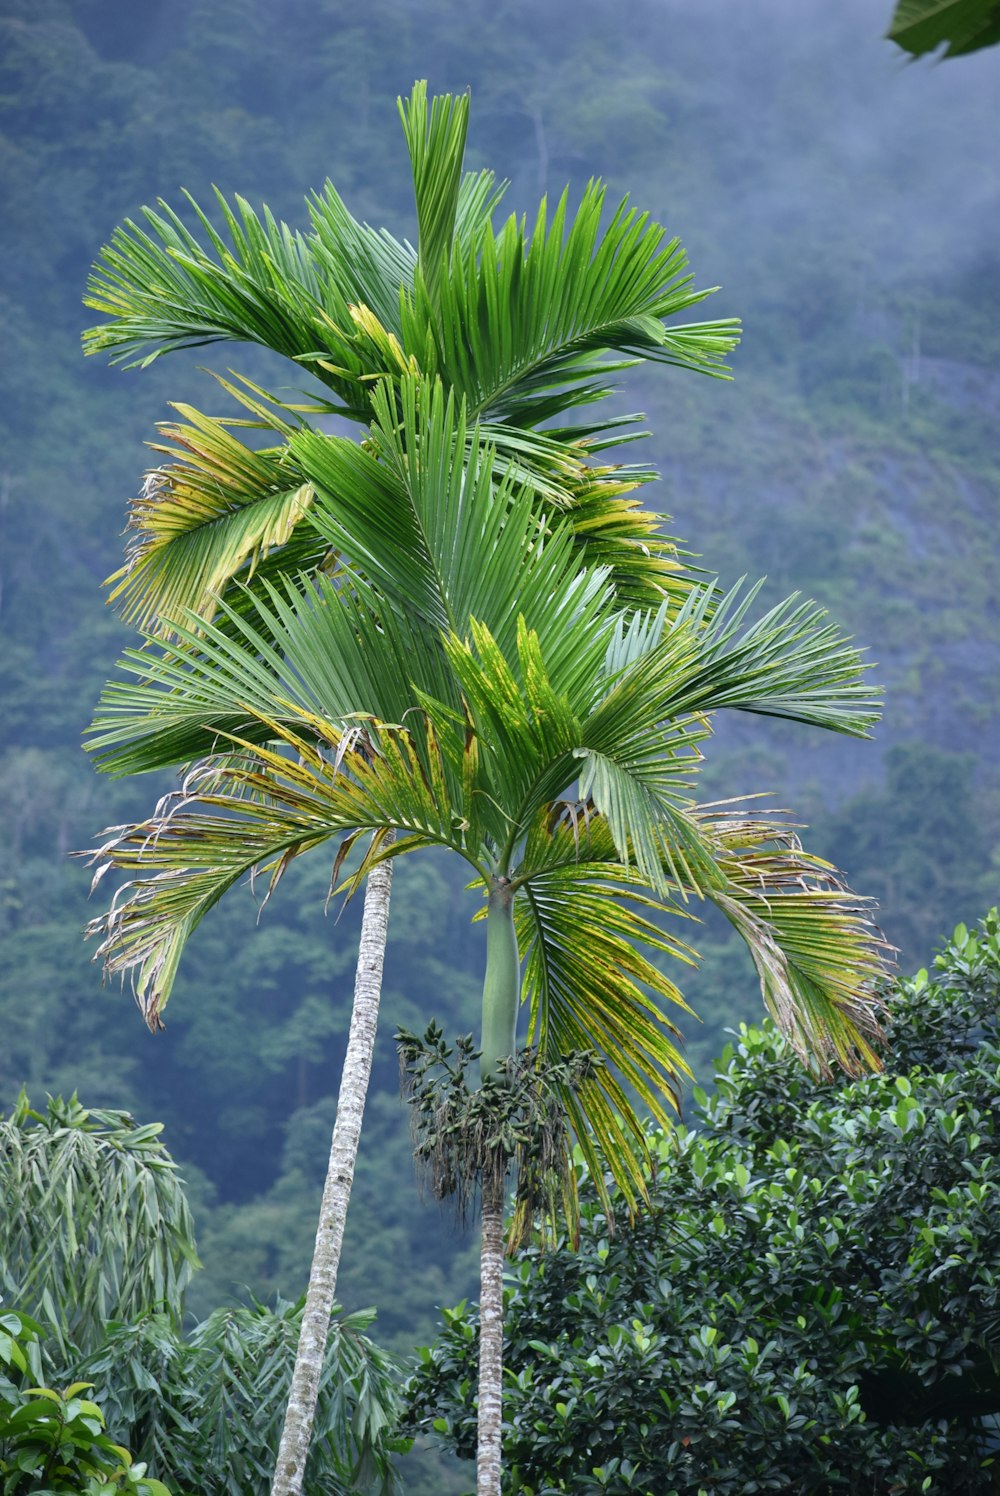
column 94, row 1221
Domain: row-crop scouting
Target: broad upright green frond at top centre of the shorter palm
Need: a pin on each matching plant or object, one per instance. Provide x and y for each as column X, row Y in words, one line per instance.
column 423, row 515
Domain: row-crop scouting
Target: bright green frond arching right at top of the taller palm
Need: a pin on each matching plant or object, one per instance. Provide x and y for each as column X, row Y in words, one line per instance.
column 522, row 325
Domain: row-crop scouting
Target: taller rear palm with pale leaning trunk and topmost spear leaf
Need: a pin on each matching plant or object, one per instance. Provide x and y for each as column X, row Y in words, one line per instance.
column 517, row 325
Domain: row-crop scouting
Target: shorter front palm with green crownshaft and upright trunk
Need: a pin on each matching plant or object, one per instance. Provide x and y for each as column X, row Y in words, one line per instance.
column 465, row 683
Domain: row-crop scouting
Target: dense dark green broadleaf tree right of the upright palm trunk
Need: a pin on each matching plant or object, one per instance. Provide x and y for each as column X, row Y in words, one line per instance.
column 811, row 1307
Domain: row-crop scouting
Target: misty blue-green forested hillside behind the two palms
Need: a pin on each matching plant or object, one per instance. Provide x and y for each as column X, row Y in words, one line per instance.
column 847, row 204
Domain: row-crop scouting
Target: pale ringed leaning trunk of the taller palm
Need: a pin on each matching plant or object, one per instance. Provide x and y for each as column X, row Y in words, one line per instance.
column 341, row 1174
